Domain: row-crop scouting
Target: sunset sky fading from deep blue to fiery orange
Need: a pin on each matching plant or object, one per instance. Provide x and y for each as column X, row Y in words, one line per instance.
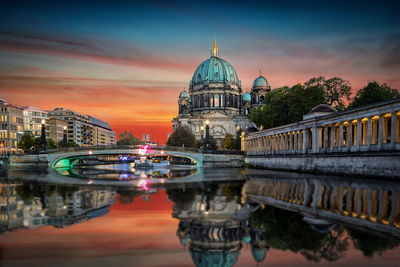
column 126, row 62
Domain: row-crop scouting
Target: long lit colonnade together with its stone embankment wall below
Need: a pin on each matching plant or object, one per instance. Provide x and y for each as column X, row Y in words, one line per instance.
column 360, row 141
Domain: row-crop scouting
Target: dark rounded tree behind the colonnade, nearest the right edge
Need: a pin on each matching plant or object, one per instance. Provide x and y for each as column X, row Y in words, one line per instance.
column 373, row 93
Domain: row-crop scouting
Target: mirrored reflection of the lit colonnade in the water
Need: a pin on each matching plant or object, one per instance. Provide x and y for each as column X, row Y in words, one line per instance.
column 366, row 204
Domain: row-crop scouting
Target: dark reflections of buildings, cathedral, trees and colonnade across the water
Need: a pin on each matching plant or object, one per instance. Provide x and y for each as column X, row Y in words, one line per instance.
column 317, row 218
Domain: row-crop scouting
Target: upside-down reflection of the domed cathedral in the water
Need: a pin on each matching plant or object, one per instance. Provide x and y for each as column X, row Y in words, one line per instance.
column 214, row 225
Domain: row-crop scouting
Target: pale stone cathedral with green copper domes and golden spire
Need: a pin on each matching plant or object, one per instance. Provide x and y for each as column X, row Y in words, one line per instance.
column 215, row 96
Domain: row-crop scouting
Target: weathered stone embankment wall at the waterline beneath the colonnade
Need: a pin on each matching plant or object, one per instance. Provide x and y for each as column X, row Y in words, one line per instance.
column 378, row 164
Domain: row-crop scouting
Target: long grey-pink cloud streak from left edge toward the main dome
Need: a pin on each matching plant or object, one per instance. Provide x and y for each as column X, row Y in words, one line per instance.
column 100, row 51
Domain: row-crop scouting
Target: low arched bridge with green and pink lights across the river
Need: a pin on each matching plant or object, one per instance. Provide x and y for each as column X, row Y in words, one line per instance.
column 66, row 158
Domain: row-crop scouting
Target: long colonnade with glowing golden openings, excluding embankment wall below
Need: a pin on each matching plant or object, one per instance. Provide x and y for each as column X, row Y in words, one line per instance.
column 370, row 128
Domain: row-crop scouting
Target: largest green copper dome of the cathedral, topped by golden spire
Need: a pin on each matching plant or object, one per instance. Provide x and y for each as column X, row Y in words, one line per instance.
column 215, row 70
